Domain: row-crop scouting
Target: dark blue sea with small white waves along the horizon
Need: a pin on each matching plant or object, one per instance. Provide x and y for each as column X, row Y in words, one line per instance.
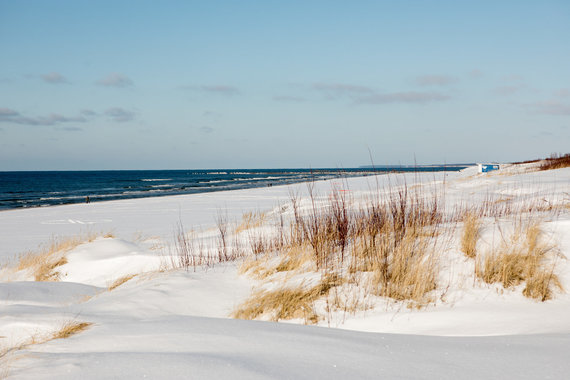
column 50, row 188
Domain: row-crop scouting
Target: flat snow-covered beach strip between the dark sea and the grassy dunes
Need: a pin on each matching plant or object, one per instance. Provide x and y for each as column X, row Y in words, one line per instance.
column 193, row 210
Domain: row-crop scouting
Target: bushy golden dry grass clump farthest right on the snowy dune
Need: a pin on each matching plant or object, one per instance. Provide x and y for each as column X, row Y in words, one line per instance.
column 524, row 256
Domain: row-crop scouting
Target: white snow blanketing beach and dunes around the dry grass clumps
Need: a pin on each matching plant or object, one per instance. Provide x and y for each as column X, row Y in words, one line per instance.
column 175, row 324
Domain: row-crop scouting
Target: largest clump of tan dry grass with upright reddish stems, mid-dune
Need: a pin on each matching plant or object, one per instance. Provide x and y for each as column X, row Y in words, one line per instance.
column 385, row 248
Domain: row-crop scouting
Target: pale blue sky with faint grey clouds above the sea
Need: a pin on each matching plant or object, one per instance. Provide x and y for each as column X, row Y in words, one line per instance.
column 268, row 84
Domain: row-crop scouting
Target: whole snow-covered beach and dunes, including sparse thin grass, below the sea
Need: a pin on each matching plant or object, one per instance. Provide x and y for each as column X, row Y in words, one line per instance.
column 147, row 314
